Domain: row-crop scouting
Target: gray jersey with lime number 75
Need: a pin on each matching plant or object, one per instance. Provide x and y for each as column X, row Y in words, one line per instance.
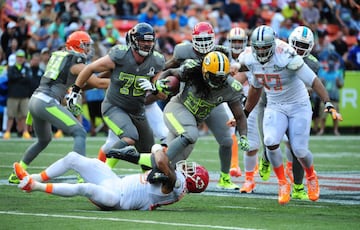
column 124, row 90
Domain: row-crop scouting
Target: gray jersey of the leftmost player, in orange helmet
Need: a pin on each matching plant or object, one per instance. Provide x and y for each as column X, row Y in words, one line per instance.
column 57, row 77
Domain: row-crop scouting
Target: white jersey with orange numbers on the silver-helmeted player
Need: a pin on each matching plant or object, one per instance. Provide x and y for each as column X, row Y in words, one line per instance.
column 283, row 77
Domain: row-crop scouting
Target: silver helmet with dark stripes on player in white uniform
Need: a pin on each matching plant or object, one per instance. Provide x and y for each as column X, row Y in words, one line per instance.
column 263, row 43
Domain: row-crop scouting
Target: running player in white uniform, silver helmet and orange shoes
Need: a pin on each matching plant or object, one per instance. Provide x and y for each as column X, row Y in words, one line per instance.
column 282, row 73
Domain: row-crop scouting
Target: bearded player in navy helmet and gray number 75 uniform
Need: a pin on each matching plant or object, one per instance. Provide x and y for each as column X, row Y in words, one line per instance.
column 133, row 70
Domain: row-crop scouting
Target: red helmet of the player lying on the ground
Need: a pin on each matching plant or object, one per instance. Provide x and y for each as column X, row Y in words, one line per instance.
column 197, row 177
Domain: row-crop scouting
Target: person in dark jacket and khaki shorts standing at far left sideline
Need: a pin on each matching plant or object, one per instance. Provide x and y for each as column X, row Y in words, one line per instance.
column 19, row 76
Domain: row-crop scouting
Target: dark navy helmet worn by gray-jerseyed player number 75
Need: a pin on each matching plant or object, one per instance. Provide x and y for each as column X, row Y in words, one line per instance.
column 142, row 39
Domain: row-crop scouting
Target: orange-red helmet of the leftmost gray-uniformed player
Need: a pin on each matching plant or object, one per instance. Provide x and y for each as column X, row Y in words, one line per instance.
column 79, row 41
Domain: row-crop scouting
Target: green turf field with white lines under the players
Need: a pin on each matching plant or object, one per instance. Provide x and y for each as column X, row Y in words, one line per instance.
column 336, row 161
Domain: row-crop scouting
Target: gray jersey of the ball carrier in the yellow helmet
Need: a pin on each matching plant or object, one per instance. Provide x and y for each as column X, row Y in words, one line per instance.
column 201, row 107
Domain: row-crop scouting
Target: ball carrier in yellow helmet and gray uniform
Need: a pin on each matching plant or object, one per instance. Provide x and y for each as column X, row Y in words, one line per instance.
column 200, row 95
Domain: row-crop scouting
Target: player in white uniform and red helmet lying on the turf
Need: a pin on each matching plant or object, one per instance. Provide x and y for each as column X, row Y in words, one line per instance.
column 162, row 185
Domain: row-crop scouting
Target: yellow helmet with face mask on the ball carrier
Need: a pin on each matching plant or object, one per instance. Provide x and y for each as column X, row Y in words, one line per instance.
column 215, row 69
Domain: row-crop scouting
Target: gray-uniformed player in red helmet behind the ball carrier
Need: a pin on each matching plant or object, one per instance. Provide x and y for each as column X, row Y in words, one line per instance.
column 203, row 42
